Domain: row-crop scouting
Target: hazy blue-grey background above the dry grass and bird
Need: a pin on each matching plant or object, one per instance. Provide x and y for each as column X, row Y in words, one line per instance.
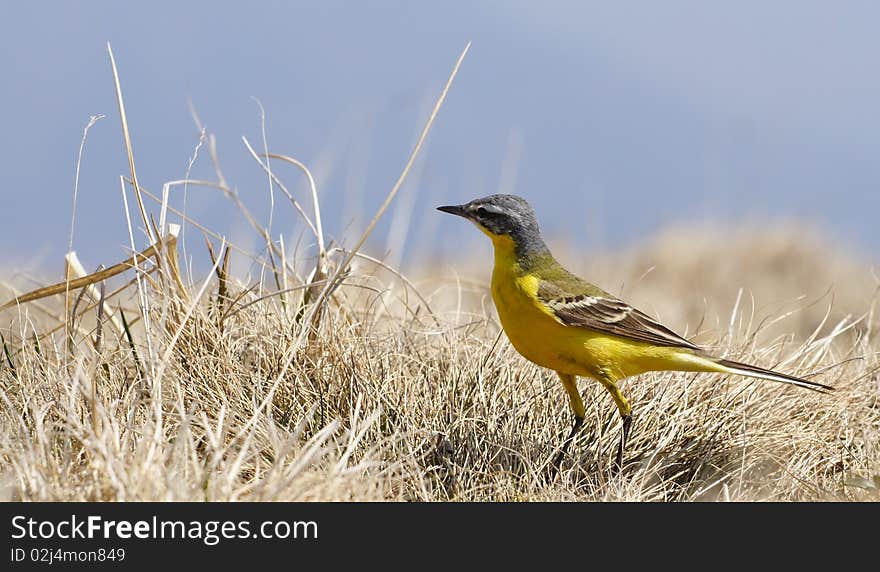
column 616, row 120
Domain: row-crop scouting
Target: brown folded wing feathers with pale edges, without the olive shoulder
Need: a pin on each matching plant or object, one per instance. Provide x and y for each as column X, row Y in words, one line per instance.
column 613, row 316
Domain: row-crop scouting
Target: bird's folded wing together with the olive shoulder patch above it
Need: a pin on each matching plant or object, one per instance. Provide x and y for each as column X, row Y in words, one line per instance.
column 594, row 309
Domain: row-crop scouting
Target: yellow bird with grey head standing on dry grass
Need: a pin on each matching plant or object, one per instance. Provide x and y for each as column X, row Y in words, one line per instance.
column 561, row 322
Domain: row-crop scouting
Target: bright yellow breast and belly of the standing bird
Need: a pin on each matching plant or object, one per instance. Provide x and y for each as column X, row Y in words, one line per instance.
column 541, row 339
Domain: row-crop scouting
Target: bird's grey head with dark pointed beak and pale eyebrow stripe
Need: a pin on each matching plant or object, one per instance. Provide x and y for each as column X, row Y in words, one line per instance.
column 501, row 217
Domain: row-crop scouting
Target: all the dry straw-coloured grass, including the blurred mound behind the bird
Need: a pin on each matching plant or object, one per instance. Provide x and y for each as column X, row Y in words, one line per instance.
column 333, row 377
